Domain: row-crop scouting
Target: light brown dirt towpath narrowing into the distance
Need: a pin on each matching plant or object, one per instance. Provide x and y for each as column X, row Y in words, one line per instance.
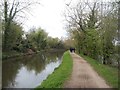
column 83, row 75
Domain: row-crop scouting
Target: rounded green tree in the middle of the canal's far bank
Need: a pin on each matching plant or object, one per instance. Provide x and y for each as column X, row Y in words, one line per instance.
column 37, row 38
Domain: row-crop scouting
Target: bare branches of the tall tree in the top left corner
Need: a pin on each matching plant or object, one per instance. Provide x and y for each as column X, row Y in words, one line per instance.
column 15, row 7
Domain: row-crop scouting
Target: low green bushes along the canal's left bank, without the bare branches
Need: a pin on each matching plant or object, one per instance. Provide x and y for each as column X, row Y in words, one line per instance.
column 33, row 41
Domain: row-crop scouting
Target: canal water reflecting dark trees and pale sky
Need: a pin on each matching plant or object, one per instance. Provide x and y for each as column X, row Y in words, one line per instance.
column 29, row 71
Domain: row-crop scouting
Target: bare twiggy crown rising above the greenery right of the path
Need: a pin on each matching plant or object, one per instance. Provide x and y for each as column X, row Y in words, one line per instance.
column 82, row 16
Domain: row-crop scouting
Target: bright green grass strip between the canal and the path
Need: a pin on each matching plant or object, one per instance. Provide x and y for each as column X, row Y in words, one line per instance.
column 60, row 75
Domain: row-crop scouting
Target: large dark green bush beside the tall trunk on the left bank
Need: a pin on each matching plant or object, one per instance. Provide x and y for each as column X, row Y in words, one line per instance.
column 15, row 36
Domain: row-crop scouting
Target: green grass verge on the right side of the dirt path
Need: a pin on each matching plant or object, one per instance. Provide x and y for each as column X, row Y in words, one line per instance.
column 110, row 74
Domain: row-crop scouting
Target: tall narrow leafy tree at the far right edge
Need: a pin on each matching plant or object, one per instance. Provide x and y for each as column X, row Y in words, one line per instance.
column 108, row 31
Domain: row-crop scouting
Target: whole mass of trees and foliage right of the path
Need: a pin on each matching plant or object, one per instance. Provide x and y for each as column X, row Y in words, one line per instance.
column 94, row 32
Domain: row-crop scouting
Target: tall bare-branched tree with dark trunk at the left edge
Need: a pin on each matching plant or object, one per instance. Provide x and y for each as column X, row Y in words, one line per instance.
column 12, row 9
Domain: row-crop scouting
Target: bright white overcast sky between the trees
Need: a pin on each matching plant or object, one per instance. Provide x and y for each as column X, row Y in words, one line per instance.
column 49, row 16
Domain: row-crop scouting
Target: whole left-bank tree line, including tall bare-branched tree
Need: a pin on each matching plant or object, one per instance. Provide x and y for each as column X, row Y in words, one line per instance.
column 14, row 39
